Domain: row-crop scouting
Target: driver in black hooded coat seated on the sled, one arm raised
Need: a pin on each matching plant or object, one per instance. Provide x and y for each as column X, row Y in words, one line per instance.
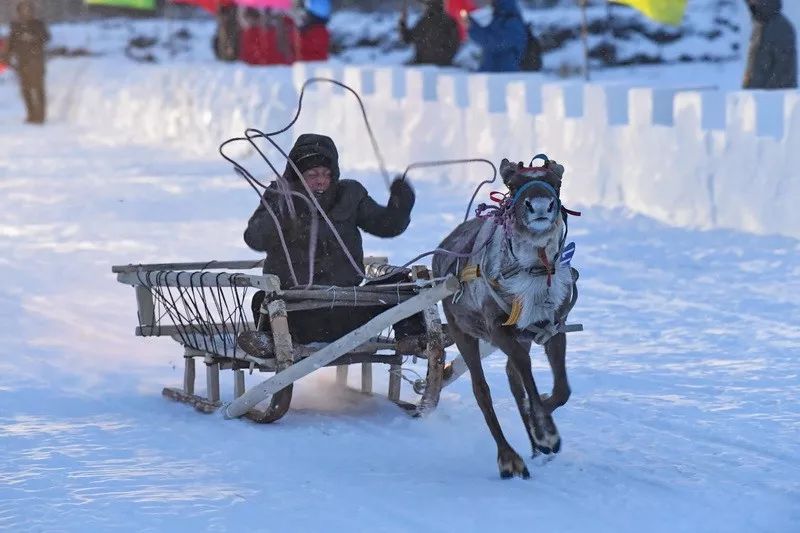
column 350, row 208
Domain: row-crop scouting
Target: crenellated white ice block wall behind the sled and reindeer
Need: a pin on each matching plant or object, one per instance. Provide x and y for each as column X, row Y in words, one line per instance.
column 696, row 158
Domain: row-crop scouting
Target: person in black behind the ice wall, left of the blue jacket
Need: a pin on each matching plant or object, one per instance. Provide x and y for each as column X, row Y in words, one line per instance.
column 435, row 36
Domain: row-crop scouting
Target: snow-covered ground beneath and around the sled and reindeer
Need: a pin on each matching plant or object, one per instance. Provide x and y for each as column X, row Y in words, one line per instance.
column 684, row 415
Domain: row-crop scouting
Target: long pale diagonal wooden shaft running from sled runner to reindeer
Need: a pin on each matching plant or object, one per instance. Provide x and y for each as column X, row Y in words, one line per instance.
column 336, row 349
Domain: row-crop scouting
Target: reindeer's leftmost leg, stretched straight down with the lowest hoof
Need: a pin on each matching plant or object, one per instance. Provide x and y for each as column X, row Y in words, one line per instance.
column 508, row 461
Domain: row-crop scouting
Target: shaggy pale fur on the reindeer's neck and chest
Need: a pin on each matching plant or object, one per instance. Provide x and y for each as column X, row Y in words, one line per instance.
column 513, row 261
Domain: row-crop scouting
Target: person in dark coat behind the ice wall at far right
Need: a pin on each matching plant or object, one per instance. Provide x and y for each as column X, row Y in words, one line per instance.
column 772, row 58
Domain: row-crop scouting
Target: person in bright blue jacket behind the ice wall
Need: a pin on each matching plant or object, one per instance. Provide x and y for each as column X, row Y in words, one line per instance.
column 503, row 40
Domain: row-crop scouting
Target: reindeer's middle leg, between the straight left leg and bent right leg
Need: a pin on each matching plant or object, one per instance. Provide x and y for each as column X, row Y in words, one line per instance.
column 540, row 424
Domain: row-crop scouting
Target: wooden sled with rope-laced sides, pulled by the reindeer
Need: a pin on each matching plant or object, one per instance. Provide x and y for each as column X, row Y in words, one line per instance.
column 204, row 307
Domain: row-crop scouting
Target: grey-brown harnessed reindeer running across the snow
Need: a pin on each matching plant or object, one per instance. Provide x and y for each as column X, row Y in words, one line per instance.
column 516, row 289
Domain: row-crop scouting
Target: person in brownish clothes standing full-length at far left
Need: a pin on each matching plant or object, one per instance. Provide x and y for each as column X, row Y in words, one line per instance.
column 25, row 50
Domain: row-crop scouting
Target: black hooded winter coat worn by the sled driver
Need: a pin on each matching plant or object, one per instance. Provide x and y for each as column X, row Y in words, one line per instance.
column 350, row 209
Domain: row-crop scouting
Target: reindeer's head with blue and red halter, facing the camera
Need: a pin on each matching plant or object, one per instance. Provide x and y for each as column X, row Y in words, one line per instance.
column 535, row 193
